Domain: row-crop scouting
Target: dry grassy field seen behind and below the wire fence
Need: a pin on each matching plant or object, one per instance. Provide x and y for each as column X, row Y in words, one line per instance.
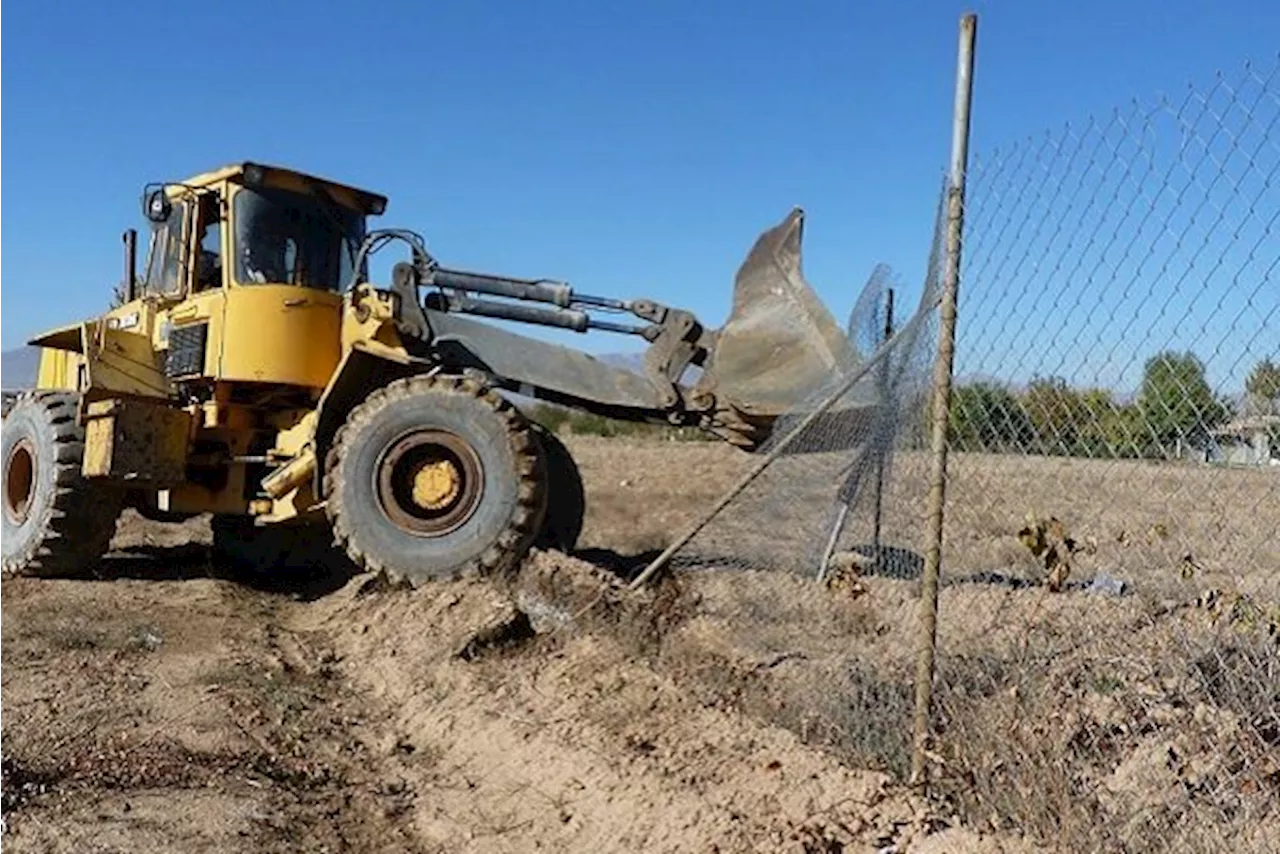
column 1137, row 723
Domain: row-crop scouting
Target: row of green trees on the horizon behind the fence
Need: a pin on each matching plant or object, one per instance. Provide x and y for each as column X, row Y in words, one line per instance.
column 1174, row 410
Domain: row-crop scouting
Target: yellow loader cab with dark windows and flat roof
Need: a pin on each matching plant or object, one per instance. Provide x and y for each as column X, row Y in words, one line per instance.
column 250, row 264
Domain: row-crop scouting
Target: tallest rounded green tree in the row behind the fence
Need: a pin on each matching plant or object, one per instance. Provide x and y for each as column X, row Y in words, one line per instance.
column 1177, row 403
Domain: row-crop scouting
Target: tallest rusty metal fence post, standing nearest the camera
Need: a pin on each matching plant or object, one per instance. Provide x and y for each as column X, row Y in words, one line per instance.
column 941, row 400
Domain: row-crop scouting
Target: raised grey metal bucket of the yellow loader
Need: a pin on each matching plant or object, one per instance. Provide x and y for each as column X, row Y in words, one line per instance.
column 780, row 342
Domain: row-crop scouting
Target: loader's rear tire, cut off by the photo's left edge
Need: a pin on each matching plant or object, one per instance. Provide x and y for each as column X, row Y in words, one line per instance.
column 52, row 520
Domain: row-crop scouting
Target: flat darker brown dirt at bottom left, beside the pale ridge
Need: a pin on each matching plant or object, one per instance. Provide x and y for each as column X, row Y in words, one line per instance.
column 175, row 715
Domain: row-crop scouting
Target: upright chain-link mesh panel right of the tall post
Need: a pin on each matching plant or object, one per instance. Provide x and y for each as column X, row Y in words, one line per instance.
column 1108, row 665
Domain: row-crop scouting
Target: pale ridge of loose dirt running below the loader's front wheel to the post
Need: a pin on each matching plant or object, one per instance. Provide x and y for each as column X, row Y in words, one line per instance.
column 559, row 711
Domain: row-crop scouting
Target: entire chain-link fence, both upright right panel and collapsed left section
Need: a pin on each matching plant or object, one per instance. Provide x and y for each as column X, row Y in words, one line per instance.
column 1104, row 674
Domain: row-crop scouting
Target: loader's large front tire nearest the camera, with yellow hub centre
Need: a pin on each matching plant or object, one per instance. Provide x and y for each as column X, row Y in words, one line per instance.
column 436, row 477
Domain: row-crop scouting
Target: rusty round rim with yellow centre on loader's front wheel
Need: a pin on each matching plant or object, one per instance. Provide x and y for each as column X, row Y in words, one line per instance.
column 429, row 483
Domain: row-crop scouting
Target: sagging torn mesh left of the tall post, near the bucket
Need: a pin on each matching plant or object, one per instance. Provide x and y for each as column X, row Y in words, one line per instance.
column 829, row 501
